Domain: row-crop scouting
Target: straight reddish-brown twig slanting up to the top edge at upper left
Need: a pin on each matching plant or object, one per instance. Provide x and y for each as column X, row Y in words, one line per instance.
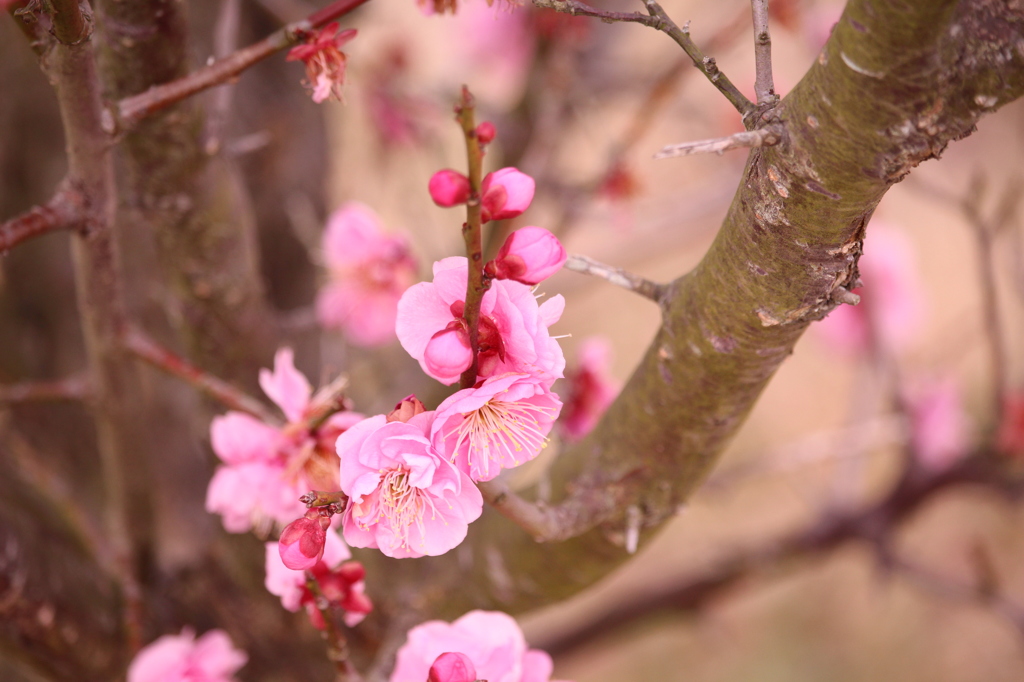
column 133, row 110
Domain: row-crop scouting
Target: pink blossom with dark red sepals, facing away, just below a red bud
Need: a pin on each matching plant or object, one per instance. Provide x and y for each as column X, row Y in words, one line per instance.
column 339, row 581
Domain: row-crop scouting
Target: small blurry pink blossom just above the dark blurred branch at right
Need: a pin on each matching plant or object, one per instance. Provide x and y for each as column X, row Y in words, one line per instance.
column 940, row 428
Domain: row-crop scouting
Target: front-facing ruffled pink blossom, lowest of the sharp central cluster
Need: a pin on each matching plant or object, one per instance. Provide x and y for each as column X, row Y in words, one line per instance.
column 404, row 497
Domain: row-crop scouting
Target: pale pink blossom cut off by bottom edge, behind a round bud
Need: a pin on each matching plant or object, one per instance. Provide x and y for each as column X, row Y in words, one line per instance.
column 492, row 642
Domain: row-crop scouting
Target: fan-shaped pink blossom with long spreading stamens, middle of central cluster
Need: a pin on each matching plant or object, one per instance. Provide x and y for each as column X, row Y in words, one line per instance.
column 500, row 425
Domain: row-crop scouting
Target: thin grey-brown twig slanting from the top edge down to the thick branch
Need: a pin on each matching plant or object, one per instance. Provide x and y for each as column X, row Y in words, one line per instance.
column 658, row 19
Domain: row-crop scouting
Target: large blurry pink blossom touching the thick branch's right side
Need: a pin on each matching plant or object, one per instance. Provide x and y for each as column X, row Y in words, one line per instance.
column 891, row 302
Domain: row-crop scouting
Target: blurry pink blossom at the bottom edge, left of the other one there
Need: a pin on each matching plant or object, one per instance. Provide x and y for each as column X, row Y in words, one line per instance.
column 185, row 659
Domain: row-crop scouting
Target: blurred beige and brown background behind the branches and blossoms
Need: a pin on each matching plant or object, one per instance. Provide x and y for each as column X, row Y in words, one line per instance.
column 583, row 107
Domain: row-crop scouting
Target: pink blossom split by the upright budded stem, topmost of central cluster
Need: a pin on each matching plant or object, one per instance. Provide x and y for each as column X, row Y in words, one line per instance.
column 514, row 331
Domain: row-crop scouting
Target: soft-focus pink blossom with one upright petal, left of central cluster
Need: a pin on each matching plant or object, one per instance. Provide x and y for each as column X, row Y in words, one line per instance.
column 267, row 468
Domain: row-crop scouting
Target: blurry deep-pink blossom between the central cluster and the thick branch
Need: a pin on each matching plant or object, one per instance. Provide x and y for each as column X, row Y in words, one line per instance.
column 591, row 390
